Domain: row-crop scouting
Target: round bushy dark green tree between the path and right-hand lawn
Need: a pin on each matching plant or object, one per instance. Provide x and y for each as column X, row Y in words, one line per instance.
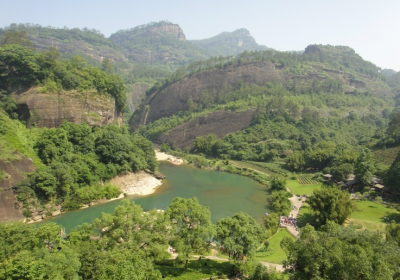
column 331, row 204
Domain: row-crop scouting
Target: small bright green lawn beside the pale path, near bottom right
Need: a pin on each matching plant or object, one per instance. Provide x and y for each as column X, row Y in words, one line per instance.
column 274, row 253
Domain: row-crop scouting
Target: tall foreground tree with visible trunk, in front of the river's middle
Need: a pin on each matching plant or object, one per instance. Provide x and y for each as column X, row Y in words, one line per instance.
column 194, row 231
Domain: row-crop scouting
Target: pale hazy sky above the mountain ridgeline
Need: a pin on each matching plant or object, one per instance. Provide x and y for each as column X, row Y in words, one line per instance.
column 370, row 27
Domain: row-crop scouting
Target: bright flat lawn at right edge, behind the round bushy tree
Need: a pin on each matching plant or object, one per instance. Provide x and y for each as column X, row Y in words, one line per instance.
column 370, row 215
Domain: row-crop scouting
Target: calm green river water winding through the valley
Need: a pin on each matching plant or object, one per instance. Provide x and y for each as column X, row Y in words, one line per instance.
column 225, row 194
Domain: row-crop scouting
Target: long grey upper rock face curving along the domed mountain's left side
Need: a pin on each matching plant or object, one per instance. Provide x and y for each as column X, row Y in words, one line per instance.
column 174, row 97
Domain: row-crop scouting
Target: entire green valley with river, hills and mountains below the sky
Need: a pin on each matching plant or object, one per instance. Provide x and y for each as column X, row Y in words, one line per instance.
column 253, row 136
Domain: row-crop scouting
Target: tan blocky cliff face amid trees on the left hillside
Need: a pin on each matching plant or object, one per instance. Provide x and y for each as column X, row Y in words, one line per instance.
column 51, row 109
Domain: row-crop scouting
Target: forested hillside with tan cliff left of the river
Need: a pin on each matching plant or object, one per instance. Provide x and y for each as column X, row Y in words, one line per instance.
column 68, row 166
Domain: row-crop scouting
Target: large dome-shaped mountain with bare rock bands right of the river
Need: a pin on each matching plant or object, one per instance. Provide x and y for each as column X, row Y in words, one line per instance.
column 326, row 93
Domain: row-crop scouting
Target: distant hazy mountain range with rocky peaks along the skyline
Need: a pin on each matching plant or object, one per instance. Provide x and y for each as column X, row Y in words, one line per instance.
column 156, row 43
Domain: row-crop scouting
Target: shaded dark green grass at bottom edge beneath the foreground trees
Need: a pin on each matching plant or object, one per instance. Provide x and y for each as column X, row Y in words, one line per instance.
column 196, row 269
